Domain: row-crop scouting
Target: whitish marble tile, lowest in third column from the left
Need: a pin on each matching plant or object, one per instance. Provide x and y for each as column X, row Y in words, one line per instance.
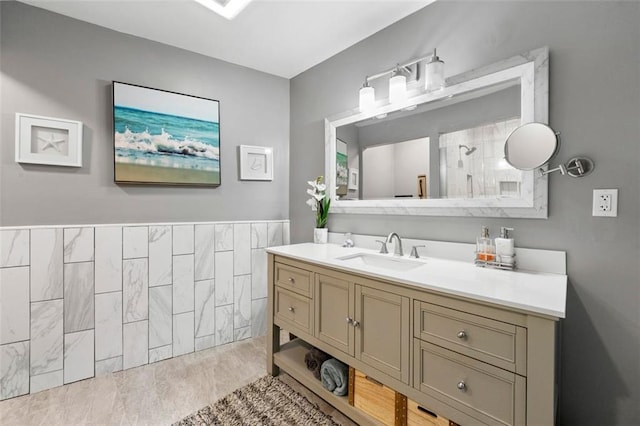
column 78, row 356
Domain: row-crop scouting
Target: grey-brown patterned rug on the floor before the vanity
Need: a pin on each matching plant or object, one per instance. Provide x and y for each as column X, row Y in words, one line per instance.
column 267, row 401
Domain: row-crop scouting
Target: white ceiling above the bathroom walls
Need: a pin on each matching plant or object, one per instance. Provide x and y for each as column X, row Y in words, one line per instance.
column 281, row 37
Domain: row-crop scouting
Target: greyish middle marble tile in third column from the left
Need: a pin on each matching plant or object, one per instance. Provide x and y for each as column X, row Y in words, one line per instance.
column 78, row 297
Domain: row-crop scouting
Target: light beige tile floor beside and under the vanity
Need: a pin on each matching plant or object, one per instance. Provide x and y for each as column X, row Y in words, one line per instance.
column 154, row 394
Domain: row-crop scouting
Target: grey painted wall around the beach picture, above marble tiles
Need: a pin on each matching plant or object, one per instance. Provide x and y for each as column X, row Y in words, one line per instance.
column 60, row 67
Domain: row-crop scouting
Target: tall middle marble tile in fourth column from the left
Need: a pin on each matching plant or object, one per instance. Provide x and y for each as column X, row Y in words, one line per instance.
column 108, row 325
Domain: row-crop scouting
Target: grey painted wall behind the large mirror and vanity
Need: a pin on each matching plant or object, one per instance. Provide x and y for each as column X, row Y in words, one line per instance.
column 594, row 102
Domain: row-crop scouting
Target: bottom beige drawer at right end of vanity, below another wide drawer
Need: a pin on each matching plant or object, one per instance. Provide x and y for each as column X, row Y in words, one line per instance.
column 487, row 393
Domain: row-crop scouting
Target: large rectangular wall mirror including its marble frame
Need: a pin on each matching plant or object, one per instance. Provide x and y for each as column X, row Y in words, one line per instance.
column 442, row 153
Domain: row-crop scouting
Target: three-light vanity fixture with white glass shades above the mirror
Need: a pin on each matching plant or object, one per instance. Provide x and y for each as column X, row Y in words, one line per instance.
column 398, row 89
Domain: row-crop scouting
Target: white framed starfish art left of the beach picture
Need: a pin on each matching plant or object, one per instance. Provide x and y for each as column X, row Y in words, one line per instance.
column 47, row 140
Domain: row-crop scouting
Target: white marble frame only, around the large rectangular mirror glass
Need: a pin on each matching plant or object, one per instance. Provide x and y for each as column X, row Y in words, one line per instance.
column 531, row 71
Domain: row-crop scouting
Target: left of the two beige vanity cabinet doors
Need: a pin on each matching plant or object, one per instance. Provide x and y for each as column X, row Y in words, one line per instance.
column 334, row 306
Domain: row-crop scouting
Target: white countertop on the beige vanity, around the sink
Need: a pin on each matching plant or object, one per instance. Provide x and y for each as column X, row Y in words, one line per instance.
column 534, row 292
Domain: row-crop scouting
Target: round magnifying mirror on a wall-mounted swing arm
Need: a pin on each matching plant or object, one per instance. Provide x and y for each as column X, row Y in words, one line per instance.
column 531, row 146
